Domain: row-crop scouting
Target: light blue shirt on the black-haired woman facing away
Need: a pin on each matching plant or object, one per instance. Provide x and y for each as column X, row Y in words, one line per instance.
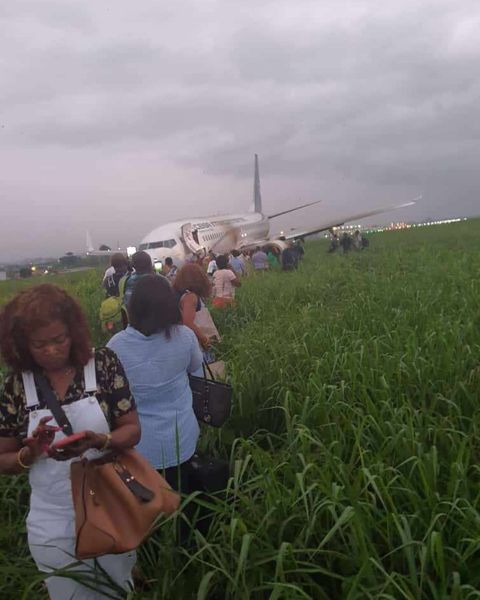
column 157, row 369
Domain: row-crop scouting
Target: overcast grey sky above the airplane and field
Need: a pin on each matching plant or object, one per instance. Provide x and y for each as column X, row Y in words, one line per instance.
column 118, row 116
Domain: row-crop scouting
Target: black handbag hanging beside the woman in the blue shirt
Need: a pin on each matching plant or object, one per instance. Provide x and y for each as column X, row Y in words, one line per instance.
column 212, row 400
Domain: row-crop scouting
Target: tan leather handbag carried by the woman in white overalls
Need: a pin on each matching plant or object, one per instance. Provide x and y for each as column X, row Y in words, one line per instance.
column 117, row 499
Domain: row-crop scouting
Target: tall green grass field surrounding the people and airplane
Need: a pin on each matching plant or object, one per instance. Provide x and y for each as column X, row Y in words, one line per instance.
column 354, row 443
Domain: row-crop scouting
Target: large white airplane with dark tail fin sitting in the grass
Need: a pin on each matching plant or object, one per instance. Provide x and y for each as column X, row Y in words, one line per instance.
column 241, row 231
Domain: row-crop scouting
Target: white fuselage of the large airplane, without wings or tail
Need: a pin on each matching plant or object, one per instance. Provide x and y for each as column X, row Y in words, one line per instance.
column 220, row 234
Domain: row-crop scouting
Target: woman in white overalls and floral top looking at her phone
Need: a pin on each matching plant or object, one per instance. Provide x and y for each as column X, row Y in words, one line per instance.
column 43, row 329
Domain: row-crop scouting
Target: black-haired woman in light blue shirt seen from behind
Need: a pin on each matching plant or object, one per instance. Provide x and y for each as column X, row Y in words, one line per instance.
column 157, row 353
